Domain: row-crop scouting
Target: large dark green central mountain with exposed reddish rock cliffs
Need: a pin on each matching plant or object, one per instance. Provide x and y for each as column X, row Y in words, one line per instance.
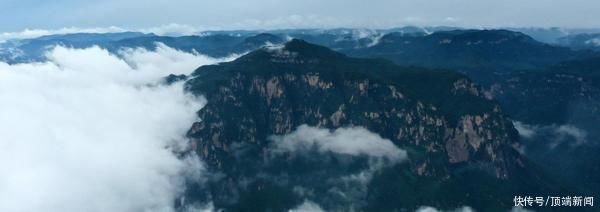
column 442, row 119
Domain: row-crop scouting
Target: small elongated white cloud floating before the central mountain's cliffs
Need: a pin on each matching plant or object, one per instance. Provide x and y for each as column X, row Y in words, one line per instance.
column 349, row 141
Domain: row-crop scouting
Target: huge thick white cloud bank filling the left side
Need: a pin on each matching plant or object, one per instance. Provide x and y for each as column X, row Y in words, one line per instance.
column 90, row 131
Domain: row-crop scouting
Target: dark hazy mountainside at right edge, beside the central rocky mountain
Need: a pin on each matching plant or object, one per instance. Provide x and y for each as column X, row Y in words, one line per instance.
column 559, row 107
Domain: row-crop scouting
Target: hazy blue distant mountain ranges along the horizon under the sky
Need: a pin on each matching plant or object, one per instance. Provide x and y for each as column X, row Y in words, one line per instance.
column 223, row 43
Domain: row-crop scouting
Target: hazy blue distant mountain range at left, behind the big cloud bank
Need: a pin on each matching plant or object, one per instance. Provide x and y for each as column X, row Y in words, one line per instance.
column 211, row 44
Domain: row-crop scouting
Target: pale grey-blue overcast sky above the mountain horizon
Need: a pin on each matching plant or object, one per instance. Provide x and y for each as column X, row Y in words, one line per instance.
column 17, row 15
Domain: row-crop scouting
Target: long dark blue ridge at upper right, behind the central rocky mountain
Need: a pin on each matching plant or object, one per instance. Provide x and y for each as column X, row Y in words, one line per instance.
column 481, row 54
